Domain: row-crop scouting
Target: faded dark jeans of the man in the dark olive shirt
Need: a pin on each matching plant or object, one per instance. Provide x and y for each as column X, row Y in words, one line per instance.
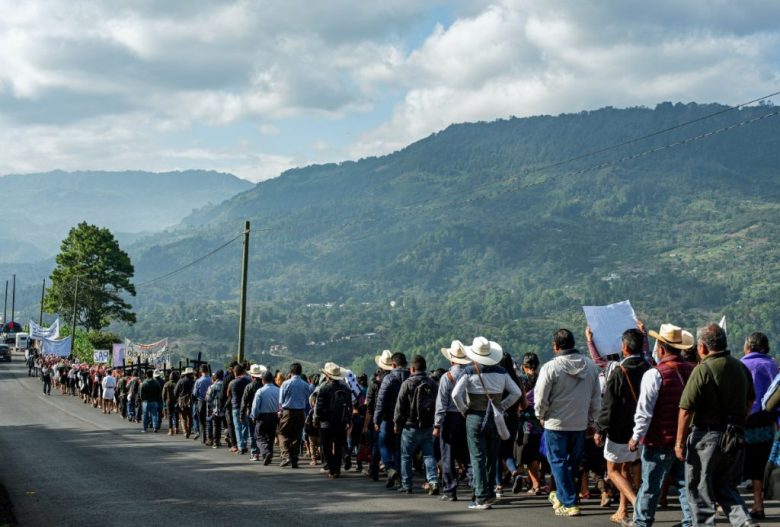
column 710, row 476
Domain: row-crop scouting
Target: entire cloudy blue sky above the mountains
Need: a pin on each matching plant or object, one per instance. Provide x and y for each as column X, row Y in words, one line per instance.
column 258, row 87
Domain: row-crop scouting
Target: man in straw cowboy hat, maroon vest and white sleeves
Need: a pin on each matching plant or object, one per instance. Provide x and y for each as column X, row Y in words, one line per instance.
column 655, row 424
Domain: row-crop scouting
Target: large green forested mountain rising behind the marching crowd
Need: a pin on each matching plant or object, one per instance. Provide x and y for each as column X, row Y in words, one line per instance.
column 482, row 228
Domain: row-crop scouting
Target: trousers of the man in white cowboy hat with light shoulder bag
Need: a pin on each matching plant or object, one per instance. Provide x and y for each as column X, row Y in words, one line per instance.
column 483, row 451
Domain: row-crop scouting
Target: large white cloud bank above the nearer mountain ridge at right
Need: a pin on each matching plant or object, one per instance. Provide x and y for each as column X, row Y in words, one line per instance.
column 532, row 57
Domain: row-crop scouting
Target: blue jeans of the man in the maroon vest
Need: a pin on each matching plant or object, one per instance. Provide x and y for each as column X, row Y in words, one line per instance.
column 657, row 462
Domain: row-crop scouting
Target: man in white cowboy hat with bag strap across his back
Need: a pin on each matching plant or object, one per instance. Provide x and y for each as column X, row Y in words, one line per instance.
column 482, row 384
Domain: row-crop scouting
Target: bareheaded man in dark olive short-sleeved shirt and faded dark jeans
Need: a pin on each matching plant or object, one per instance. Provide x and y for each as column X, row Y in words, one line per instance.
column 717, row 398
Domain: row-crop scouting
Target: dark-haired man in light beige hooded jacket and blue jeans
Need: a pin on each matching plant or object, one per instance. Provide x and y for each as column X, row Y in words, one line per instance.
column 567, row 399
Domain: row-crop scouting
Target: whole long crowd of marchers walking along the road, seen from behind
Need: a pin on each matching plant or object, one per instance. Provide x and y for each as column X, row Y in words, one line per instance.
column 688, row 419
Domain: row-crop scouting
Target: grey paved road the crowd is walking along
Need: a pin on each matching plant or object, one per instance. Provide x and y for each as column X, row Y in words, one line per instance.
column 65, row 463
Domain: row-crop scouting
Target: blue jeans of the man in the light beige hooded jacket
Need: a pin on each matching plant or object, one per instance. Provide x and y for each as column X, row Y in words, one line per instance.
column 564, row 453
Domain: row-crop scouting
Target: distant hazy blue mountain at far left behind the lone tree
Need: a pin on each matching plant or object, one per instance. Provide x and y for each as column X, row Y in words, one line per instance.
column 41, row 208
